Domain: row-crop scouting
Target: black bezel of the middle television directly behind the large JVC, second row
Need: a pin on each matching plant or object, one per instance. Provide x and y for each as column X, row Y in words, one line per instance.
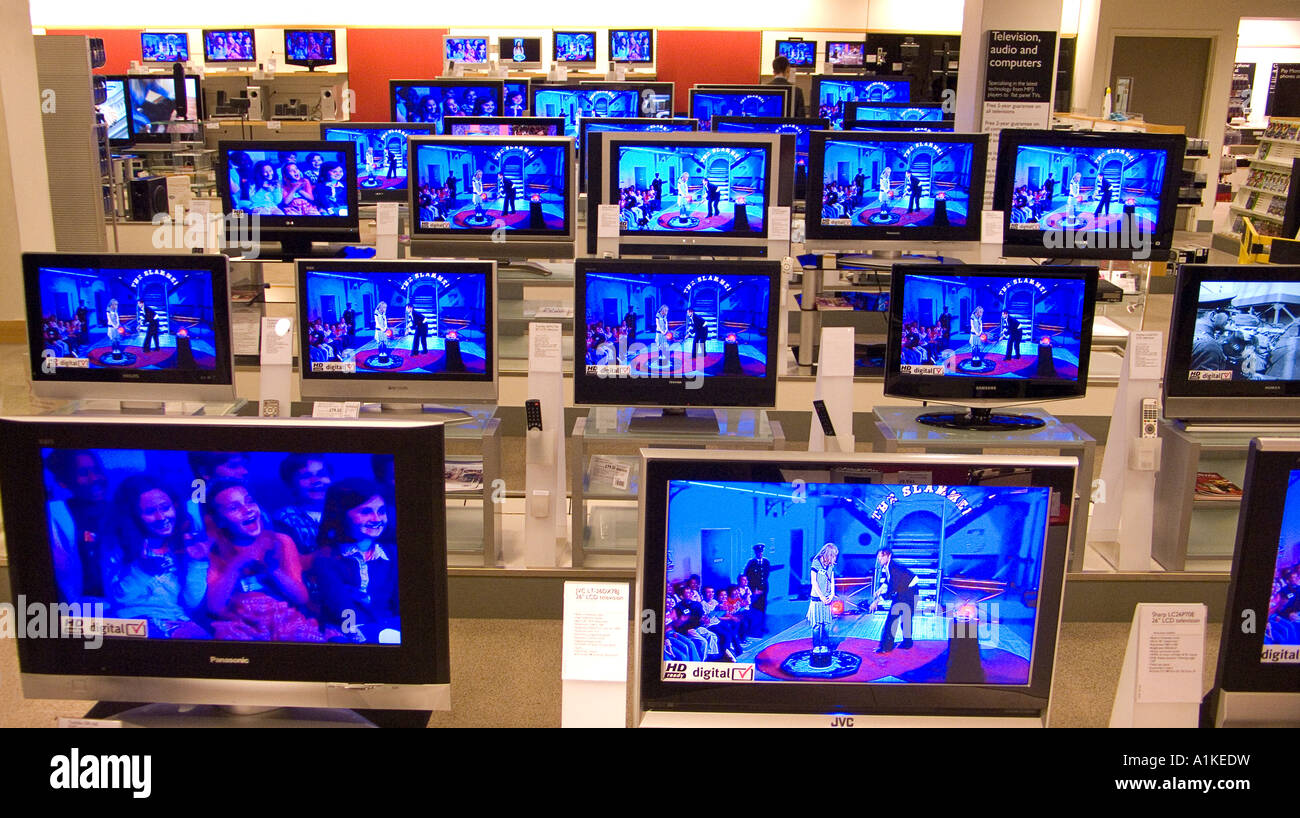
column 716, row 392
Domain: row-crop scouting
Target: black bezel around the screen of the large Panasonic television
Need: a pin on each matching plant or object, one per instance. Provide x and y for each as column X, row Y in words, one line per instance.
column 423, row 656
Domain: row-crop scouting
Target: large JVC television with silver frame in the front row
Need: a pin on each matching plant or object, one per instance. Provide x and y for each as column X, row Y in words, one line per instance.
column 850, row 585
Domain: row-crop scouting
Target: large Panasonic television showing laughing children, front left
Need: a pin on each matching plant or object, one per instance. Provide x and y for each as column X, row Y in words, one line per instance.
column 107, row 526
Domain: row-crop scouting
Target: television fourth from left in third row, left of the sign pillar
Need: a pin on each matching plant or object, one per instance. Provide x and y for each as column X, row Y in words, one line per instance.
column 895, row 187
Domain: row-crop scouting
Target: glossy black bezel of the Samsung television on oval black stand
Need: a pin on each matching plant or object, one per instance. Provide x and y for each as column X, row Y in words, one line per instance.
column 974, row 389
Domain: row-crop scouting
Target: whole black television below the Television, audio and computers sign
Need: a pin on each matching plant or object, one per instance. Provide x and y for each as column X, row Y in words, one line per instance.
column 1087, row 194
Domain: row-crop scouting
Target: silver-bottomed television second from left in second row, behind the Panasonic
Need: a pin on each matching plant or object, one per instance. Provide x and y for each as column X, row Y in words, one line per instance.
column 397, row 331
